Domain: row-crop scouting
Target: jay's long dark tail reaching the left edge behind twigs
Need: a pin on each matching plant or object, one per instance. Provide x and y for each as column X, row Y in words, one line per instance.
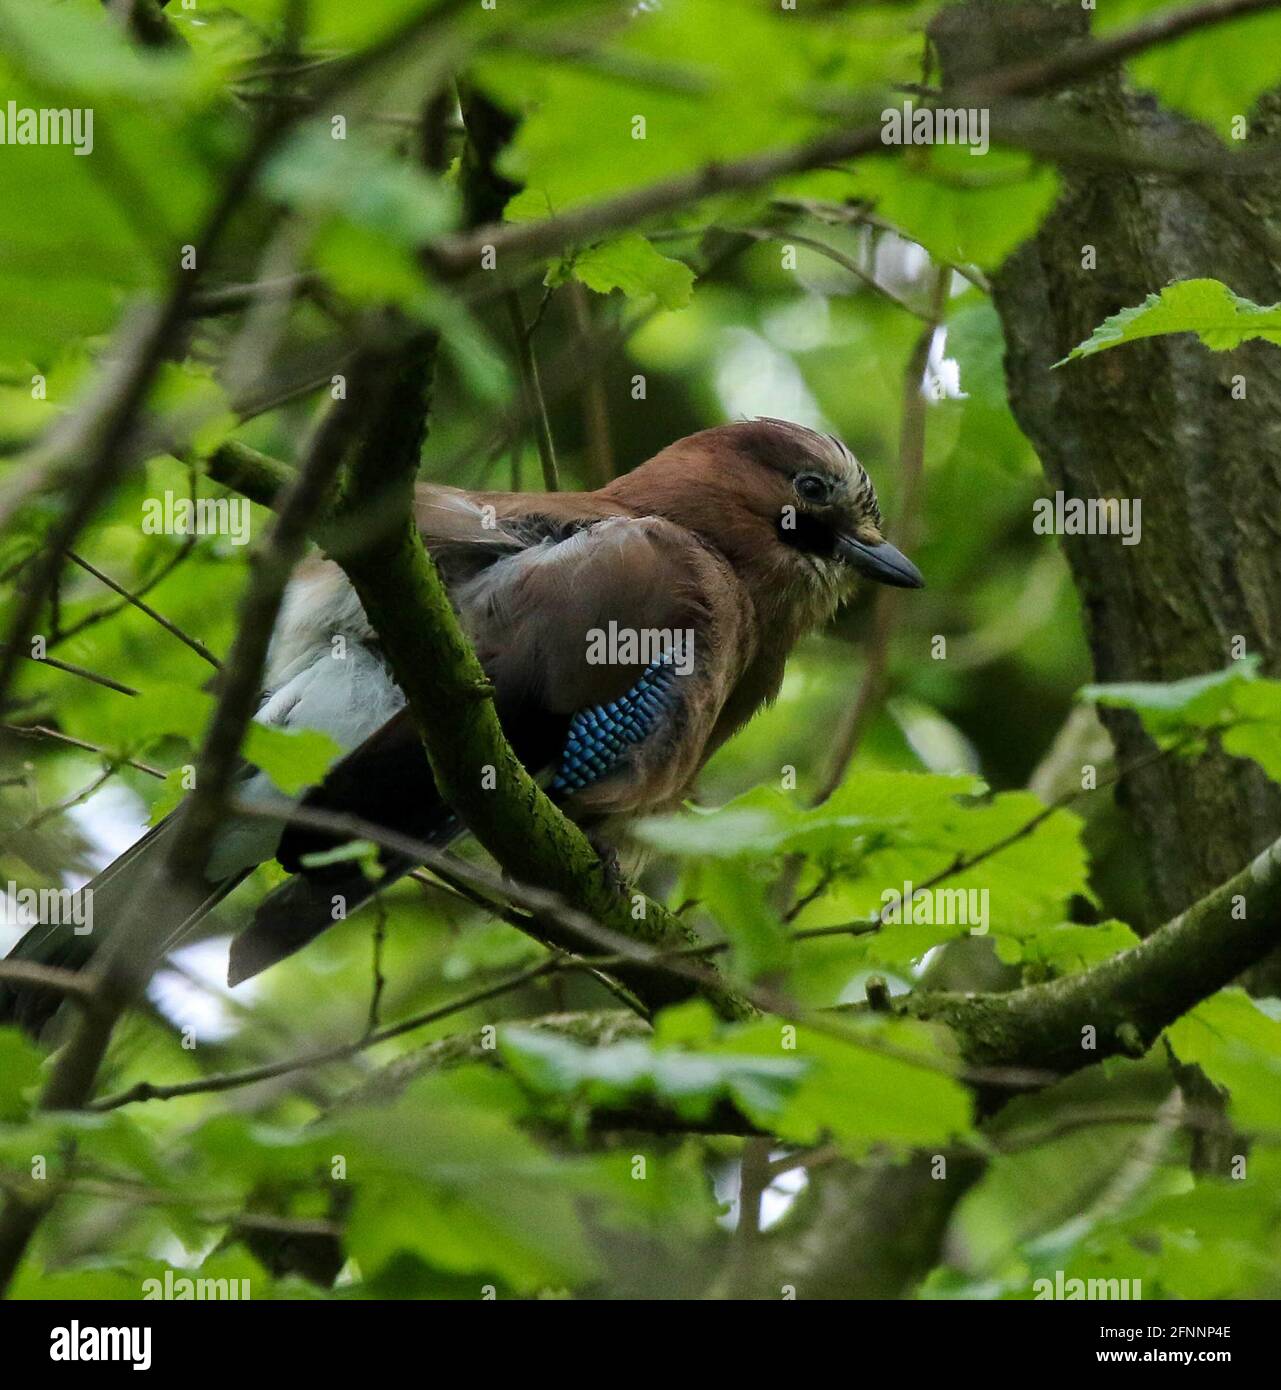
column 97, row 911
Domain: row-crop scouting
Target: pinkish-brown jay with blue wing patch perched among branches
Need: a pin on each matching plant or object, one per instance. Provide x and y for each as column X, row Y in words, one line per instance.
column 627, row 635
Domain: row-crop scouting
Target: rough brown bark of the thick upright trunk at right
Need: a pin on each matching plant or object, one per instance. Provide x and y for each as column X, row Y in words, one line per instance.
column 1154, row 422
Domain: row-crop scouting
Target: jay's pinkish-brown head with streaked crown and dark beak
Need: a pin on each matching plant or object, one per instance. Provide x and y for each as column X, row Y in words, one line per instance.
column 793, row 508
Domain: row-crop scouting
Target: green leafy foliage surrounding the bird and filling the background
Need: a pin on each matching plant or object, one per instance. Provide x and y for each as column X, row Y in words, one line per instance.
column 526, row 1136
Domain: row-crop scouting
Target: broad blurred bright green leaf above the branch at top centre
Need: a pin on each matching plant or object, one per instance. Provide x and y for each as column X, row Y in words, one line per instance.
column 713, row 80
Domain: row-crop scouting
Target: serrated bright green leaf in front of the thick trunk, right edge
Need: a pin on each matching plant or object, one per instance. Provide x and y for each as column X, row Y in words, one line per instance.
column 1205, row 308
